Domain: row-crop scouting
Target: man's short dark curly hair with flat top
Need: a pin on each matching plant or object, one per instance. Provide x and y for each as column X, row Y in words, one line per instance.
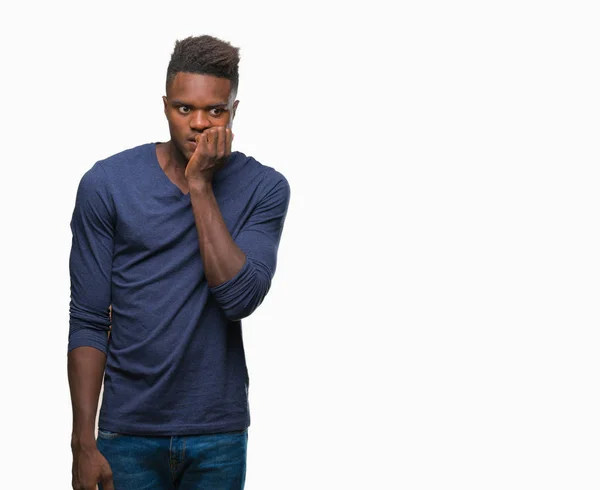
column 205, row 55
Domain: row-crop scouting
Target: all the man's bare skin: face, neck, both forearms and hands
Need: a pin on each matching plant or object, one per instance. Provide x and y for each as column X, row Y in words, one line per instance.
column 199, row 110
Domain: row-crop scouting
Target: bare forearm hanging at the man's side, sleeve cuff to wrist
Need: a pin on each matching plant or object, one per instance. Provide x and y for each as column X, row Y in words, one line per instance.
column 85, row 368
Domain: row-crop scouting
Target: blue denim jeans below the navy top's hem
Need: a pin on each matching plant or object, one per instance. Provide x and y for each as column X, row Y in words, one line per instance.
column 211, row 462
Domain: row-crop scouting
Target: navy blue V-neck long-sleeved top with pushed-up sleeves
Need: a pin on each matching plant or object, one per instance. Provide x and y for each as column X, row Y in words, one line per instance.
column 175, row 356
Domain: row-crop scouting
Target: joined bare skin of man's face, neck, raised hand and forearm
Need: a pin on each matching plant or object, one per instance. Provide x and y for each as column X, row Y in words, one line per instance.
column 199, row 110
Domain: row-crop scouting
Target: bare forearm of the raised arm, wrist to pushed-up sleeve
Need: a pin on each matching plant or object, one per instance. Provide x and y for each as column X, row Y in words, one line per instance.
column 221, row 257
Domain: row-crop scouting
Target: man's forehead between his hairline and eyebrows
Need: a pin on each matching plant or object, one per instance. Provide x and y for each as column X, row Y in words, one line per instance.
column 201, row 89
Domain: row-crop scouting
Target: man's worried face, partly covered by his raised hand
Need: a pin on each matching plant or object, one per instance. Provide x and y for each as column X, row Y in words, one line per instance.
column 195, row 103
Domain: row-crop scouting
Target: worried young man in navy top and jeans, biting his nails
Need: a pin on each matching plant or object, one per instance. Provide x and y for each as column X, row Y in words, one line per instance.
column 179, row 240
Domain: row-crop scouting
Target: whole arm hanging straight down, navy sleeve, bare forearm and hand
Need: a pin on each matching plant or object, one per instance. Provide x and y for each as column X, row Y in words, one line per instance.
column 90, row 265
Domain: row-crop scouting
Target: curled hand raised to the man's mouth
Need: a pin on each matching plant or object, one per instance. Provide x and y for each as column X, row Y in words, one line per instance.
column 213, row 146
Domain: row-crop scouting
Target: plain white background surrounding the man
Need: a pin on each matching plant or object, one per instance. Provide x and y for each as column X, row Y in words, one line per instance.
column 433, row 322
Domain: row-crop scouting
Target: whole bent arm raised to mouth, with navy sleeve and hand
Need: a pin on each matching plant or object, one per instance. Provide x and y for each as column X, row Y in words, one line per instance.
column 239, row 272
